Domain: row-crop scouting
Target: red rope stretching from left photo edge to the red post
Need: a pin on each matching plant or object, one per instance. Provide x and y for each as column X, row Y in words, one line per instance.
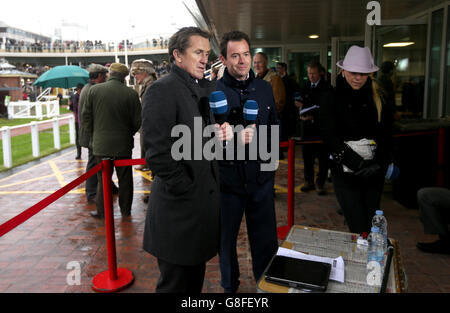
column 22, row 217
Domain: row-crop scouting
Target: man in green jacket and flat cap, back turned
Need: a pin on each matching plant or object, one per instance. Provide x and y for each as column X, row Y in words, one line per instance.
column 111, row 116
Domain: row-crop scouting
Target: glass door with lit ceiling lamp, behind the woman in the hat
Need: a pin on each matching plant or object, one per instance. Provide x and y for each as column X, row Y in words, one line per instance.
column 400, row 50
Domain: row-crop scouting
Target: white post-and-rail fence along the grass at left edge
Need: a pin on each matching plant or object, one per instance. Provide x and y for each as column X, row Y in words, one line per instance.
column 34, row 126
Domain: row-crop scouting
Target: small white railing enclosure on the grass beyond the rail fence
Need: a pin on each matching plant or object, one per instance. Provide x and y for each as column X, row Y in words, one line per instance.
column 27, row 109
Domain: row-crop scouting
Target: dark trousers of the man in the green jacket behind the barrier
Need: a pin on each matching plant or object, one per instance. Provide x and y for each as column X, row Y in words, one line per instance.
column 125, row 175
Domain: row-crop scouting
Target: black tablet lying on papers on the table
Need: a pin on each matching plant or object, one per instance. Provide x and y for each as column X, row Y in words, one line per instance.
column 297, row 273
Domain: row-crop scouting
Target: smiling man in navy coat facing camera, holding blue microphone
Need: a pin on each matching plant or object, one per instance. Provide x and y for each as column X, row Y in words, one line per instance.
column 245, row 185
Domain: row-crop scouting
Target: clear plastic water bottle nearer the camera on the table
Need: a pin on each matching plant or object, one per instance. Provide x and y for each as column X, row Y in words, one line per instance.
column 375, row 258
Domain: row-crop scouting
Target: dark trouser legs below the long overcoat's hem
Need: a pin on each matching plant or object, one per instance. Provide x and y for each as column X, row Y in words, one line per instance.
column 180, row 278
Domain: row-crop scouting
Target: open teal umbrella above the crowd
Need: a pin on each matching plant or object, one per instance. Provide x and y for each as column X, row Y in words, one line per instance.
column 65, row 76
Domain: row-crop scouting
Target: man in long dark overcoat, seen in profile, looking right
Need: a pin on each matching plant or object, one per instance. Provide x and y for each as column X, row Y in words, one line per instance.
column 182, row 223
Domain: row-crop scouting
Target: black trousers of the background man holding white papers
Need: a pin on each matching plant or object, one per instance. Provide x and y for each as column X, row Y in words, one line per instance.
column 311, row 152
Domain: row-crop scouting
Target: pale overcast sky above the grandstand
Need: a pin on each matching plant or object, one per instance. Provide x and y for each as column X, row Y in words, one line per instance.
column 97, row 19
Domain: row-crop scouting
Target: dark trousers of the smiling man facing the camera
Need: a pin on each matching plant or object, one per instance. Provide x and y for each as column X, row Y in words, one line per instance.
column 259, row 210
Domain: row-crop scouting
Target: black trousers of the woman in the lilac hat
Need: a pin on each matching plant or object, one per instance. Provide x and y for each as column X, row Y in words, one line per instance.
column 359, row 198
